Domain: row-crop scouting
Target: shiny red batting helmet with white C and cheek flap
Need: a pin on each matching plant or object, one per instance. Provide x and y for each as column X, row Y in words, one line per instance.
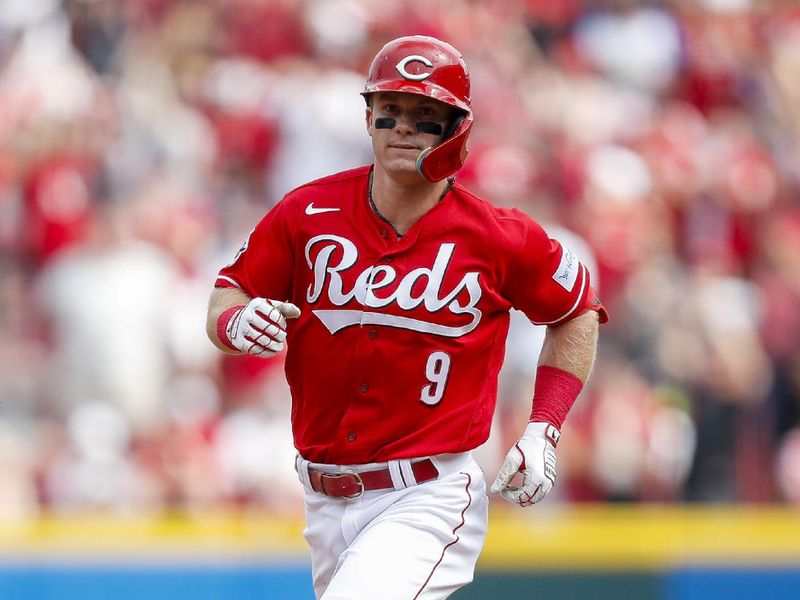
column 429, row 67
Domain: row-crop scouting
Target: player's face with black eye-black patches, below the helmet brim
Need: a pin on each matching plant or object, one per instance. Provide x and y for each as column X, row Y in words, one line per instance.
column 396, row 149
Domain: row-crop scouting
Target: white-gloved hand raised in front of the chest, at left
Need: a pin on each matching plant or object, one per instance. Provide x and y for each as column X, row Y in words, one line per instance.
column 260, row 327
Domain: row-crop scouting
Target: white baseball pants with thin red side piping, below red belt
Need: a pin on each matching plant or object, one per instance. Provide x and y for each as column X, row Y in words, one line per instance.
column 409, row 543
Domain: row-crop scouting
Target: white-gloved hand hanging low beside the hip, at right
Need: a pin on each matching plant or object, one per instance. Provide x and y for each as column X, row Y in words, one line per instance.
column 534, row 456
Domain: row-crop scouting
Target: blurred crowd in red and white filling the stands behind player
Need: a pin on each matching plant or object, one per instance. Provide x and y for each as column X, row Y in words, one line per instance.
column 140, row 141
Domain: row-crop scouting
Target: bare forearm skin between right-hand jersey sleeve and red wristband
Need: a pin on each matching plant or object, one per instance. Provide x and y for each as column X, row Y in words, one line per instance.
column 572, row 347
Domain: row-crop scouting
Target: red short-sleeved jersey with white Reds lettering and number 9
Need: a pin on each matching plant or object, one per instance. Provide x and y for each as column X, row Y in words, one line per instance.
column 400, row 340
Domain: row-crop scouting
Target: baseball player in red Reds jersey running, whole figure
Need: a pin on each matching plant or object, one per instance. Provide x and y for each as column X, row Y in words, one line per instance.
column 390, row 286
